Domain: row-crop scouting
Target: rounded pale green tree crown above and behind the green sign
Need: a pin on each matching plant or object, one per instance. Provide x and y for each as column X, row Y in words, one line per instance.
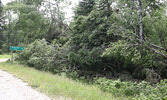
column 28, row 25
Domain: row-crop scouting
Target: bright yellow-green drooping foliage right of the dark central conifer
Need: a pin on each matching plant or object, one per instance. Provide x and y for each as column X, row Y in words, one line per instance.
column 123, row 55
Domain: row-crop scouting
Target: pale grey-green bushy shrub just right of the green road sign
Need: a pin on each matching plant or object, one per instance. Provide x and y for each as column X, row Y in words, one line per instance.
column 42, row 56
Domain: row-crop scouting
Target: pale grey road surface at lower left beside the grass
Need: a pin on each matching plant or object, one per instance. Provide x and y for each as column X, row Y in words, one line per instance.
column 12, row 88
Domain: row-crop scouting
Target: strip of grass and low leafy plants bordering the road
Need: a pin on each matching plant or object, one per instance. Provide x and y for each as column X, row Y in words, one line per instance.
column 57, row 86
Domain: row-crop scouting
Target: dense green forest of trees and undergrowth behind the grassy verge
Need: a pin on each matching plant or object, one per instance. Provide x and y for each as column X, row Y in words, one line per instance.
column 120, row 45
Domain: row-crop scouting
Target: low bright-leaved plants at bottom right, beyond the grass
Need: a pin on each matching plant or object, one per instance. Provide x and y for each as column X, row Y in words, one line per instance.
column 138, row 91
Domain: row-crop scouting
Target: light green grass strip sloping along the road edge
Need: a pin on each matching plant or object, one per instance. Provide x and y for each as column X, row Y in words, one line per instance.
column 55, row 85
